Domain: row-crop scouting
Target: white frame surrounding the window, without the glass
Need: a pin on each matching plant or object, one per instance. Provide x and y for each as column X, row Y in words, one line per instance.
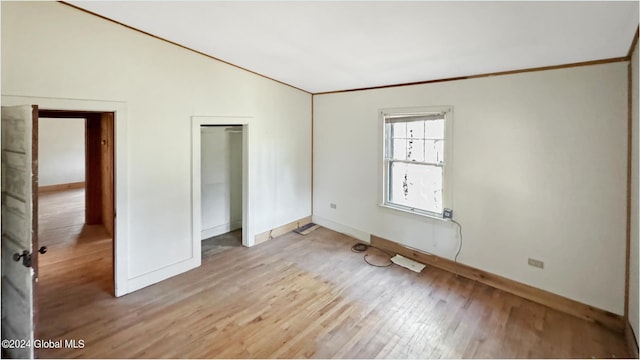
column 447, row 166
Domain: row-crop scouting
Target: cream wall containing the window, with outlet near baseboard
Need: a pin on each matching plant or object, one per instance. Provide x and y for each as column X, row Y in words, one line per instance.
column 539, row 171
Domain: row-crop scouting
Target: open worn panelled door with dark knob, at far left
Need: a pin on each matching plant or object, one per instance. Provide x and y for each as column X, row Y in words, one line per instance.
column 19, row 227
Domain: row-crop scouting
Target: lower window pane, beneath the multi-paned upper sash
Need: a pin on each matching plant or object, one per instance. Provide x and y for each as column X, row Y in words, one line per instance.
column 416, row 186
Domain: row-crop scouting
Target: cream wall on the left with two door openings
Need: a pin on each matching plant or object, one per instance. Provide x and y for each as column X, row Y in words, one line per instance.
column 51, row 50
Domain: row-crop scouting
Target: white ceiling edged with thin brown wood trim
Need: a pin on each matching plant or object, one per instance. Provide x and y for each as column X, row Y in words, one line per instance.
column 325, row 46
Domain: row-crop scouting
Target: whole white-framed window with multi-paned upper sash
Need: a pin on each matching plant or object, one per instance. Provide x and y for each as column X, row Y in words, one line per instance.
column 416, row 159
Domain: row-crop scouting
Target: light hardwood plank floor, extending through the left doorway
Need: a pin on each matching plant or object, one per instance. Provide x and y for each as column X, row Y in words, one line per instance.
column 296, row 297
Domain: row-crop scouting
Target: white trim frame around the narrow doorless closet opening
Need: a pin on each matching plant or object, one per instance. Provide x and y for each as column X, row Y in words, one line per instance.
column 248, row 238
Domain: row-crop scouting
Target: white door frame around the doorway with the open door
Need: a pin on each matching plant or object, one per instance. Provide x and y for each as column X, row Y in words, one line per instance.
column 120, row 235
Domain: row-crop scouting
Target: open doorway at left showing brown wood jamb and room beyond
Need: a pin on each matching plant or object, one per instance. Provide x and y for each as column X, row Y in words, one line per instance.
column 76, row 214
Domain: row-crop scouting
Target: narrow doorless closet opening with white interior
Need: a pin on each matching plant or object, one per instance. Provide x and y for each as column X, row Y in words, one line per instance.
column 221, row 187
